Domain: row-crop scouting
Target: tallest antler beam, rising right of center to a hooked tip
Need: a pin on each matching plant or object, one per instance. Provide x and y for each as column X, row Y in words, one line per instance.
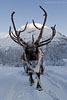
column 40, row 35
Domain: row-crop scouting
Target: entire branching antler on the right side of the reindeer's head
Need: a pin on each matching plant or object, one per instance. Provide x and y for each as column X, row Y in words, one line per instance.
column 45, row 42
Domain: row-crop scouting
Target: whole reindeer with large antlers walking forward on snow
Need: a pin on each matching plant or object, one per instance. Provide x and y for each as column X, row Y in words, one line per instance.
column 32, row 56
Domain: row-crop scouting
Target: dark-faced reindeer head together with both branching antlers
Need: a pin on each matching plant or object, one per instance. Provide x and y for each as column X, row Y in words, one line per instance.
column 33, row 48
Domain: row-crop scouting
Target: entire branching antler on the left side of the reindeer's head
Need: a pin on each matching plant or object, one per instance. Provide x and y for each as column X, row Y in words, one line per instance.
column 16, row 36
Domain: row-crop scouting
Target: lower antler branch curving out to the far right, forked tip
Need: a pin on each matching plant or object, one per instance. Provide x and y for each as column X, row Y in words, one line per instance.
column 50, row 39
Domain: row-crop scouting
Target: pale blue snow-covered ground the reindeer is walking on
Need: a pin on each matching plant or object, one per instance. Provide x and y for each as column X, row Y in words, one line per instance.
column 14, row 84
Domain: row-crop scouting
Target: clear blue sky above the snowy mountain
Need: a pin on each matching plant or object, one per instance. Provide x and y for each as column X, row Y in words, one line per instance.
column 26, row 10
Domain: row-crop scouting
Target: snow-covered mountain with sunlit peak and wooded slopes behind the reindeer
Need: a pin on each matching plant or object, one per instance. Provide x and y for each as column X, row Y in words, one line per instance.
column 55, row 52
